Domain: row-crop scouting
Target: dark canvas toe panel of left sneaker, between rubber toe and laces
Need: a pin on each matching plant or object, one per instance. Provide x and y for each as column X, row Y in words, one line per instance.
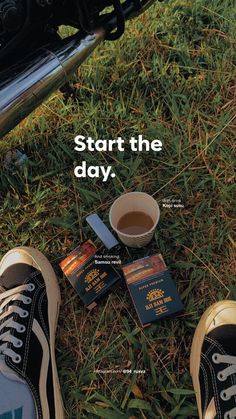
column 15, row 275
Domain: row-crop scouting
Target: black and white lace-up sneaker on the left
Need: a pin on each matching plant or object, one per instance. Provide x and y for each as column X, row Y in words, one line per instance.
column 29, row 307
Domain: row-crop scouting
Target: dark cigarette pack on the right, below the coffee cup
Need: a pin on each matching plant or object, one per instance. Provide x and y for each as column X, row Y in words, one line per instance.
column 152, row 289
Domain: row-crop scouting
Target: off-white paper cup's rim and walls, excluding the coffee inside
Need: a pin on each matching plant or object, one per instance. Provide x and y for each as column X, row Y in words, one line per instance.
column 134, row 201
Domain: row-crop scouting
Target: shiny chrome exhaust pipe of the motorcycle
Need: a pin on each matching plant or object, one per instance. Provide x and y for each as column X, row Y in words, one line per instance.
column 25, row 86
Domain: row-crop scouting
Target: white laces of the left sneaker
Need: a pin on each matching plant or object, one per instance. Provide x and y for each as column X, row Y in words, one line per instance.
column 7, row 312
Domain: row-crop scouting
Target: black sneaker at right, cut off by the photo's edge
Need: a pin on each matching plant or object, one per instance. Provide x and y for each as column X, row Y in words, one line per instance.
column 213, row 362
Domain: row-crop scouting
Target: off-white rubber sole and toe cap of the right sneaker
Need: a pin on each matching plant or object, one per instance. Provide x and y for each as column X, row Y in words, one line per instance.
column 223, row 312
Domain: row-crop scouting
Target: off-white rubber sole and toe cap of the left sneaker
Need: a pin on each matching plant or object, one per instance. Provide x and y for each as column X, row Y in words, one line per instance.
column 39, row 261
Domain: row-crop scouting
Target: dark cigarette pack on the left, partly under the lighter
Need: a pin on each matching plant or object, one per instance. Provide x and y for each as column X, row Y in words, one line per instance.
column 90, row 280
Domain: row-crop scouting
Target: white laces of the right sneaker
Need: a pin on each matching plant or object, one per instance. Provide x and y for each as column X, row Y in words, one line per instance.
column 222, row 375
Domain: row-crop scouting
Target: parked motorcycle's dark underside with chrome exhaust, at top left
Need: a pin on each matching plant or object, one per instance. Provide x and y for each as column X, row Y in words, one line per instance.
column 35, row 61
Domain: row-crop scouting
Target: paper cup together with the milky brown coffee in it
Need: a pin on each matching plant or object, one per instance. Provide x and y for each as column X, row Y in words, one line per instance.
column 134, row 217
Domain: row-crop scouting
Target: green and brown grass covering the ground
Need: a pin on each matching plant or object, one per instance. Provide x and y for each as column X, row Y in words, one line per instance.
column 171, row 77
